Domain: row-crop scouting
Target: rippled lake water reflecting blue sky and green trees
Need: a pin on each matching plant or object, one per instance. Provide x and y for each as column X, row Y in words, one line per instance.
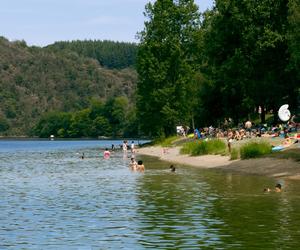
column 52, row 199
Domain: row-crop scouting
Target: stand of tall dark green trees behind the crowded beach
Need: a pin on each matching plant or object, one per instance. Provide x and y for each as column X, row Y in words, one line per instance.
column 236, row 61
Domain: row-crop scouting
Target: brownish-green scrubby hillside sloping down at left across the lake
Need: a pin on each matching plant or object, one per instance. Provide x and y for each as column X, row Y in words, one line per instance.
column 35, row 80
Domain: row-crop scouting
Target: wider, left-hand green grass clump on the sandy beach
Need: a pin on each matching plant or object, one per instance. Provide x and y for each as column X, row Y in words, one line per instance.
column 201, row 147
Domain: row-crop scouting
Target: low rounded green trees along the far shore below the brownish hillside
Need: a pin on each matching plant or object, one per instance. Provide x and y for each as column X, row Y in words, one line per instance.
column 114, row 118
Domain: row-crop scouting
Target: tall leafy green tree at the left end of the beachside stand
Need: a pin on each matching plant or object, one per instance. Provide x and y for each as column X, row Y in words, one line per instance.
column 165, row 65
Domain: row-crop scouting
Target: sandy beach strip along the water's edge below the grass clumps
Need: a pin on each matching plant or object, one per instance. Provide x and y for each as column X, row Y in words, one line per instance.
column 271, row 167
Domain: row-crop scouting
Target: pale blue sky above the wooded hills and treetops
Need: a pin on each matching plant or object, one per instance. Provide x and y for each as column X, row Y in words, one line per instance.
column 42, row 22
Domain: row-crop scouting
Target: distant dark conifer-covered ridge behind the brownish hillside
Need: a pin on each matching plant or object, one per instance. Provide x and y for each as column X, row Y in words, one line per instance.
column 112, row 55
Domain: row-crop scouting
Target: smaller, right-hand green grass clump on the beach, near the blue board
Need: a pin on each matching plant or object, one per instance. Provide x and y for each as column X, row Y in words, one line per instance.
column 255, row 149
